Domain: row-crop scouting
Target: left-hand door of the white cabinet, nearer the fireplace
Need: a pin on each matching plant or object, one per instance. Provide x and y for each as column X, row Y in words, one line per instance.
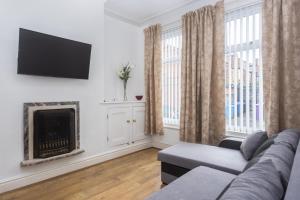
column 119, row 125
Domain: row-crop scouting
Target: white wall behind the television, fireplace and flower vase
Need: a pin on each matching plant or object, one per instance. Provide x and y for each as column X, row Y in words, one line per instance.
column 79, row 20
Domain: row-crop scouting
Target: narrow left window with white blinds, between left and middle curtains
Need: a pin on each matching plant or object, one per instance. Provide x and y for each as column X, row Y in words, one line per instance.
column 171, row 63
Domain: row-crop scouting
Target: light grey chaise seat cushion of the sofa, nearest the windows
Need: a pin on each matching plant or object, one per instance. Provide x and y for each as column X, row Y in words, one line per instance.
column 190, row 156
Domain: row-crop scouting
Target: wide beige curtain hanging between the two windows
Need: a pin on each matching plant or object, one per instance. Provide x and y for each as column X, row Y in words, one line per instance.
column 202, row 118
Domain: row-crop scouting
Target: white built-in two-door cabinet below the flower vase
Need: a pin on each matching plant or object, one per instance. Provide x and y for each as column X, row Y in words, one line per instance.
column 125, row 122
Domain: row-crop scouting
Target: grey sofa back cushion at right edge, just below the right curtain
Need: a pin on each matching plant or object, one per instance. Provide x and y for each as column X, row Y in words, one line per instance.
column 289, row 137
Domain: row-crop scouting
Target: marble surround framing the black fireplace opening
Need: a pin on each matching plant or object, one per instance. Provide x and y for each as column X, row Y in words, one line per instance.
column 29, row 109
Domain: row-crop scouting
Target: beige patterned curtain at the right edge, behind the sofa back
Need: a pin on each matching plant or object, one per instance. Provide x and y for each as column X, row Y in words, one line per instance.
column 281, row 64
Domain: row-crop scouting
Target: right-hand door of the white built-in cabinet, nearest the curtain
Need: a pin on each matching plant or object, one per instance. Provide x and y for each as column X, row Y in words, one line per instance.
column 138, row 118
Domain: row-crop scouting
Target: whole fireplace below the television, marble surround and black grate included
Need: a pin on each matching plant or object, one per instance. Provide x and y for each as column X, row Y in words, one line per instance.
column 51, row 131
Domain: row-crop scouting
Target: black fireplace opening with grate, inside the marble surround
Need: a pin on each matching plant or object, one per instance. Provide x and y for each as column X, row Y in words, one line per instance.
column 54, row 132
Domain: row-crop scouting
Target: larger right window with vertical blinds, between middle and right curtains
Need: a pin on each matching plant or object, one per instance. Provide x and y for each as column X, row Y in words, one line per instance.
column 245, row 45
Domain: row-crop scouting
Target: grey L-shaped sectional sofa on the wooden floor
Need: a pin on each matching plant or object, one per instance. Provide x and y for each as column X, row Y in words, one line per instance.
column 203, row 172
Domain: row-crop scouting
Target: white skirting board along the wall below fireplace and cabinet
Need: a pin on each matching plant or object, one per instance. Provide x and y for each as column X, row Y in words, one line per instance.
column 18, row 182
